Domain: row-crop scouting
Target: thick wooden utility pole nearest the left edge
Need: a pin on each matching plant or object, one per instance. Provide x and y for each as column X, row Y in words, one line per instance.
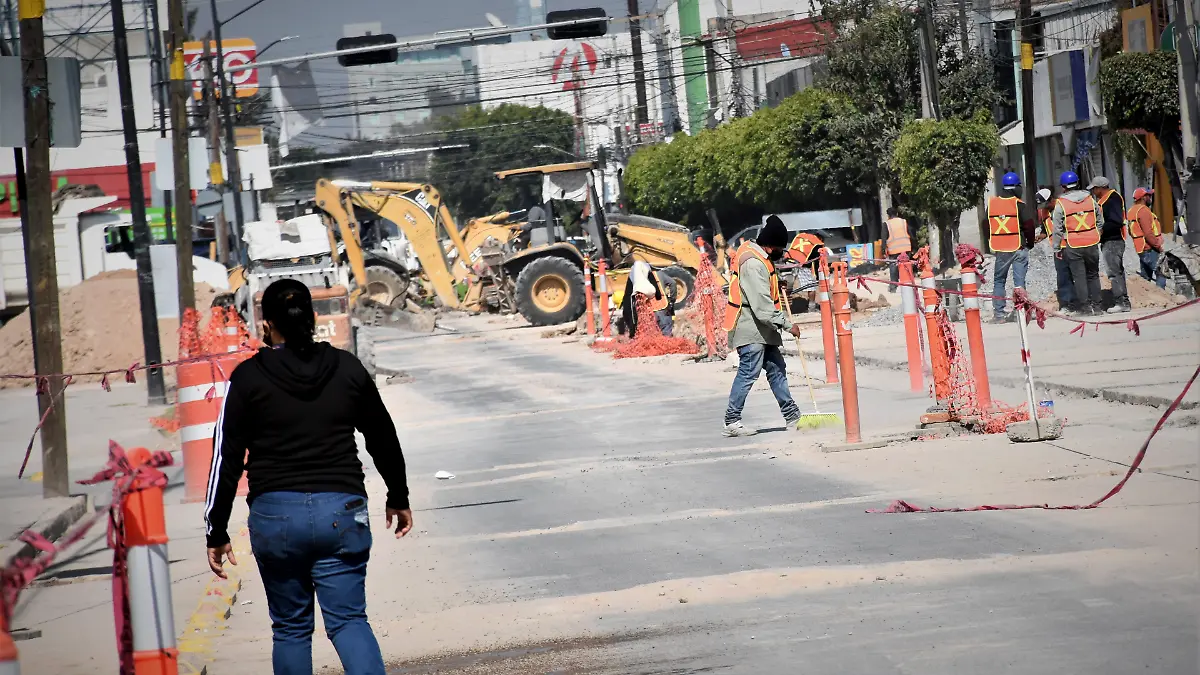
column 41, row 270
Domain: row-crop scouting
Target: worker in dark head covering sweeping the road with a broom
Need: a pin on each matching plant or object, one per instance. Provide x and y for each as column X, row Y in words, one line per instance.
column 754, row 320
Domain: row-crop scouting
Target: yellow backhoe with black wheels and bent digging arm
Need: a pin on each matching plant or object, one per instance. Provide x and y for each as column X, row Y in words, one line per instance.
column 506, row 262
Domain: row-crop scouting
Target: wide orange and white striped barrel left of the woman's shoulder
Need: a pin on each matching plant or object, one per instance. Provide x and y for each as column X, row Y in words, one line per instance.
column 201, row 392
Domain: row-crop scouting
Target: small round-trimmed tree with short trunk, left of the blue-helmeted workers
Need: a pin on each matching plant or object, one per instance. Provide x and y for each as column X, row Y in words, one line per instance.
column 943, row 168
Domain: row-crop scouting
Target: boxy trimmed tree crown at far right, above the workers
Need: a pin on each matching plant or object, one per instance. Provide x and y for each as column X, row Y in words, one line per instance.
column 1142, row 91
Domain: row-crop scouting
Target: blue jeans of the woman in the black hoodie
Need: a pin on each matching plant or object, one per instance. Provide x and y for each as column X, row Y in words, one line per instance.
column 315, row 542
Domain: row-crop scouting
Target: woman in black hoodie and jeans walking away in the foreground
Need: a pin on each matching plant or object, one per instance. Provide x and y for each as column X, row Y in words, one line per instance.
column 292, row 410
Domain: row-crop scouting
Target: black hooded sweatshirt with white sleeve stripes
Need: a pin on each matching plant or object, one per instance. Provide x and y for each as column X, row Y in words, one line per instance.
column 296, row 413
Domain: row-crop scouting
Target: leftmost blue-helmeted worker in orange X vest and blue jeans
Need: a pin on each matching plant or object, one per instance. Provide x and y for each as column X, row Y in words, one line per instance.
column 1013, row 230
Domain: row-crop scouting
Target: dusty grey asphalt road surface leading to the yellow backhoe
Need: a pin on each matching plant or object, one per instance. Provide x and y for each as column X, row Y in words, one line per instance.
column 610, row 507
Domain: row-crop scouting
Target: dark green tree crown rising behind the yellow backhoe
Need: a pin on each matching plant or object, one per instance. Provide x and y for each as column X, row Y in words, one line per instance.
column 499, row 139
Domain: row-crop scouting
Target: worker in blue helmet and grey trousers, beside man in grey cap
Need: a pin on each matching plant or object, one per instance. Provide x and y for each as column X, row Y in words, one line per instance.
column 1076, row 230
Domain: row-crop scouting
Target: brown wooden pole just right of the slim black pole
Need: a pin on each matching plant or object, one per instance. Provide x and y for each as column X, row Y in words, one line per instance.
column 181, row 89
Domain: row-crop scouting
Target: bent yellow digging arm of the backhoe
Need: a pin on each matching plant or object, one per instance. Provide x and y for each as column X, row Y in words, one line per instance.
column 418, row 211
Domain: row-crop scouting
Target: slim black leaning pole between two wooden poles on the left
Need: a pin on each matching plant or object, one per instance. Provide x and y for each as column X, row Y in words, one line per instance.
column 155, row 389
